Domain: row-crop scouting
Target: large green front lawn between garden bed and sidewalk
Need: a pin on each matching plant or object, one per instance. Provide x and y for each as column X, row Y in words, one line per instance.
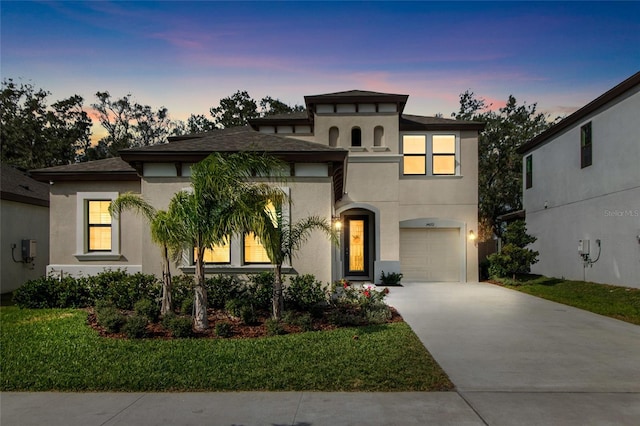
column 54, row 349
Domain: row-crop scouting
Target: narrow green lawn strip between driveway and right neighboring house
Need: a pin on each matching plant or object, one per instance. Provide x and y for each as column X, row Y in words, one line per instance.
column 622, row 303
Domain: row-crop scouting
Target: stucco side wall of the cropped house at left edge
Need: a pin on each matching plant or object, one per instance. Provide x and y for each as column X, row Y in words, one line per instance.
column 20, row 222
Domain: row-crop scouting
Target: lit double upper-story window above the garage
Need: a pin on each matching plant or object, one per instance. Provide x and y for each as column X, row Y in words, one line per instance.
column 440, row 149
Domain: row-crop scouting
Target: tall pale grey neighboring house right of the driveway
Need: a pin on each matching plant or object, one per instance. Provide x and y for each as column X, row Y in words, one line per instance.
column 582, row 191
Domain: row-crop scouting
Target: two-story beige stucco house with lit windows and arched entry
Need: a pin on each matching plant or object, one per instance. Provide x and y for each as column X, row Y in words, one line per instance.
column 404, row 188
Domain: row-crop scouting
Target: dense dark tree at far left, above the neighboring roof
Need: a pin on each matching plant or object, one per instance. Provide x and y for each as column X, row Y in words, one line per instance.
column 35, row 135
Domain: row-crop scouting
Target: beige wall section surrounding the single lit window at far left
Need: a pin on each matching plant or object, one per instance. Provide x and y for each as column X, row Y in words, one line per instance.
column 63, row 212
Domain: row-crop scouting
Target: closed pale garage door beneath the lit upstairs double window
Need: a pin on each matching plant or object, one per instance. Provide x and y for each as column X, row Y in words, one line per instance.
column 430, row 254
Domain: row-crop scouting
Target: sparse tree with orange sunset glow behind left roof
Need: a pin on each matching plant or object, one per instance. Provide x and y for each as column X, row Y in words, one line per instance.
column 128, row 124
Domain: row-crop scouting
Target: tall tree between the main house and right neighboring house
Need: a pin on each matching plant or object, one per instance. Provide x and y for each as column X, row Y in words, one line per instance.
column 500, row 166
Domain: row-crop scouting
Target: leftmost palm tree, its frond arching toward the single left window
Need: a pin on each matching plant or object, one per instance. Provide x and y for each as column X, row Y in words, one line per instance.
column 163, row 229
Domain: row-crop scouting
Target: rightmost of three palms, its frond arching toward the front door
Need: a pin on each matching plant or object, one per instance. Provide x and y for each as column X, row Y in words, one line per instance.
column 282, row 240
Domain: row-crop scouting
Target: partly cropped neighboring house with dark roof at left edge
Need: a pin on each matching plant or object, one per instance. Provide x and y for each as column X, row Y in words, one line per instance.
column 24, row 214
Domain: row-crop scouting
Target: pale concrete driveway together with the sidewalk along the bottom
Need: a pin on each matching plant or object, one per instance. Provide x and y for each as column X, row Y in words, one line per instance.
column 515, row 360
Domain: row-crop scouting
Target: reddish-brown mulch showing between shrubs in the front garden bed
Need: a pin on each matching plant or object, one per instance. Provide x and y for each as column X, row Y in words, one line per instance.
column 240, row 330
